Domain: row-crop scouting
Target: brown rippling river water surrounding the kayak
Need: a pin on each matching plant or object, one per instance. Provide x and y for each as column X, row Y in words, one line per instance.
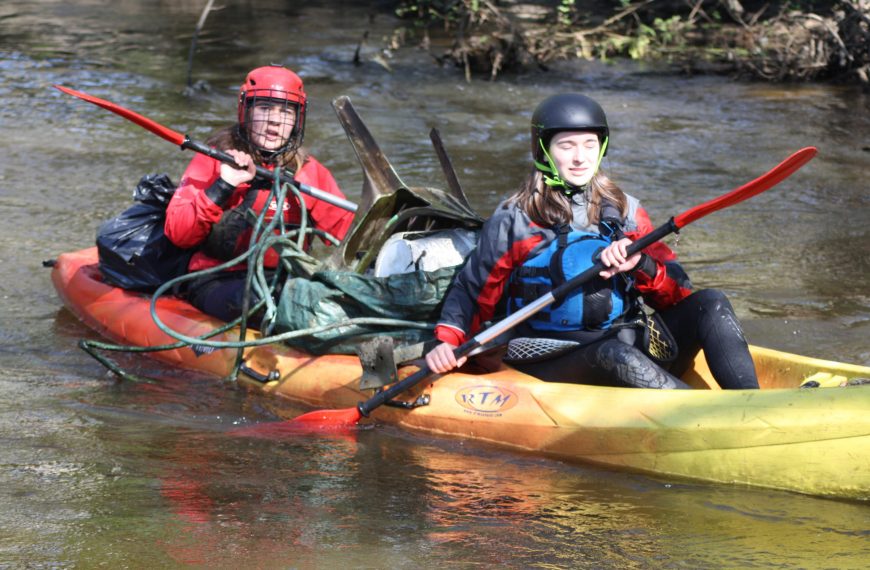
column 97, row 473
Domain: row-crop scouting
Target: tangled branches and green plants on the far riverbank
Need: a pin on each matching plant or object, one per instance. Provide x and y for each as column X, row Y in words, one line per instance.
column 777, row 40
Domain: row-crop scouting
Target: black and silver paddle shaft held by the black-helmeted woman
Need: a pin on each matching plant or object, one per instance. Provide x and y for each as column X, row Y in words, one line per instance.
column 558, row 294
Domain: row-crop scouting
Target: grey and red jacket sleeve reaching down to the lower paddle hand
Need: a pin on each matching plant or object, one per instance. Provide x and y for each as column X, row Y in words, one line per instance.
column 480, row 284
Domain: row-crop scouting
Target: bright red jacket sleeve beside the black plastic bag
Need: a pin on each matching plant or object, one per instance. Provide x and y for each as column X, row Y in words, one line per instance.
column 191, row 213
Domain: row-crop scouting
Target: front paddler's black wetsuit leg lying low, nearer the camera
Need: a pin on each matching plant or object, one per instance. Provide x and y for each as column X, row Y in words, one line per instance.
column 607, row 362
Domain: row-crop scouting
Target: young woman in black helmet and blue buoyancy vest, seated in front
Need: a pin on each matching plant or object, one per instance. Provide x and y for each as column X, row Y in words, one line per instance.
column 599, row 336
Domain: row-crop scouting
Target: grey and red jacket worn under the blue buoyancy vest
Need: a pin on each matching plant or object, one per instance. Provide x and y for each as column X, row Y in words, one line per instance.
column 509, row 237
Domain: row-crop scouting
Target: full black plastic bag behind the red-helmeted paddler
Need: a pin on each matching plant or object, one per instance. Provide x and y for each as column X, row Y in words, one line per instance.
column 134, row 252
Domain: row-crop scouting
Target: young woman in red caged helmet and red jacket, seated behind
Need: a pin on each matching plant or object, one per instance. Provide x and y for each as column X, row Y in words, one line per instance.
column 208, row 209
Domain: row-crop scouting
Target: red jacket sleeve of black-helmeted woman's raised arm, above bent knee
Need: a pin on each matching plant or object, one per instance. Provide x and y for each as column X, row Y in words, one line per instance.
column 659, row 277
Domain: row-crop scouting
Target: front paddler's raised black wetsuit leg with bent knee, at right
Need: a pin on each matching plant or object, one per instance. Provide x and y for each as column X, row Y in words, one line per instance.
column 706, row 320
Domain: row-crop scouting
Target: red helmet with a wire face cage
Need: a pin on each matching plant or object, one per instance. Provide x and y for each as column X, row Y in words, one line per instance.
column 279, row 87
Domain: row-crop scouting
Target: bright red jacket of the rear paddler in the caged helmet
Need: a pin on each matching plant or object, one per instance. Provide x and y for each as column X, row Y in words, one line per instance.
column 191, row 214
